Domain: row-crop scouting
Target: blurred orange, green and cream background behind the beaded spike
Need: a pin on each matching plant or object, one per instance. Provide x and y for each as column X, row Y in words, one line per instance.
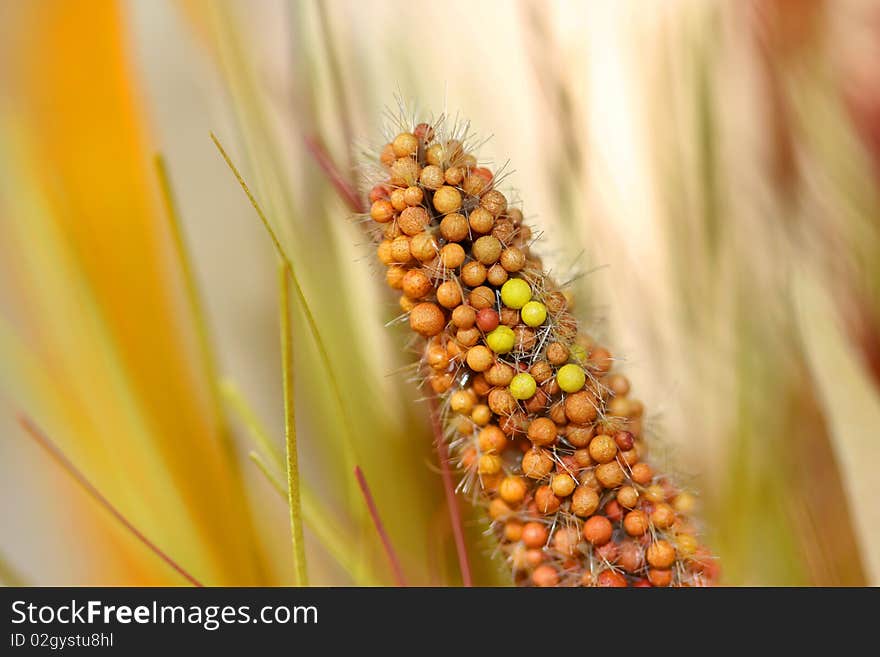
column 707, row 172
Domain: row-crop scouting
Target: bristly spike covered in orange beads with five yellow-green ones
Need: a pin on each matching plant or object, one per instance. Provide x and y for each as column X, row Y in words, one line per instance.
column 547, row 435
